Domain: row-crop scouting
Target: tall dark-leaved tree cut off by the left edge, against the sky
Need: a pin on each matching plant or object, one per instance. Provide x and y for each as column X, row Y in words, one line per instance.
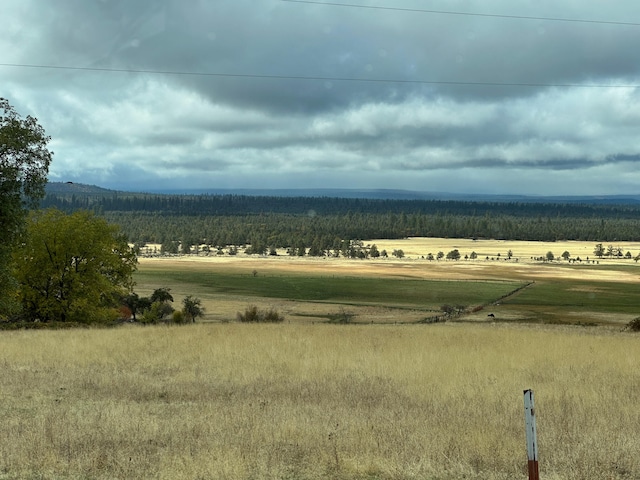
column 24, row 165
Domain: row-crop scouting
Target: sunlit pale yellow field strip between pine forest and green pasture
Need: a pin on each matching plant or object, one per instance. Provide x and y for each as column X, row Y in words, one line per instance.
column 523, row 263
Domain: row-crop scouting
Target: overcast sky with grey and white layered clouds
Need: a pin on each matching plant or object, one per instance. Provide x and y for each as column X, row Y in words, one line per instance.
column 490, row 96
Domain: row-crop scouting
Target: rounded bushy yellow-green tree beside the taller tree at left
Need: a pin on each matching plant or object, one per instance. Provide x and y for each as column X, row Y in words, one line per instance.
column 73, row 267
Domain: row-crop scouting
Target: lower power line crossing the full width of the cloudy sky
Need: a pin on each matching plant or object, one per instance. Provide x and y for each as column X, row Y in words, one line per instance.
column 315, row 78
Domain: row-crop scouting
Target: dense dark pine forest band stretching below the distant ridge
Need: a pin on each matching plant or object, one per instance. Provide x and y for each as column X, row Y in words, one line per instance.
column 319, row 225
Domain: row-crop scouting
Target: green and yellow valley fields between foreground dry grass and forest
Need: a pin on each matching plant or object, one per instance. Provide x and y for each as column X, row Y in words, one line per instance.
column 598, row 291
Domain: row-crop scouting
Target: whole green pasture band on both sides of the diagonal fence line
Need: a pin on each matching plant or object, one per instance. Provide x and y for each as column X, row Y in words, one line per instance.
column 551, row 300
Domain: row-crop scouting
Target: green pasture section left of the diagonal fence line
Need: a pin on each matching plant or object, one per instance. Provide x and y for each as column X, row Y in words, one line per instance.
column 392, row 292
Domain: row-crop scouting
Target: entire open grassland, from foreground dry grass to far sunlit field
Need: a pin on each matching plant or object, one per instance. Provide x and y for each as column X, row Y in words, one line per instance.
column 305, row 399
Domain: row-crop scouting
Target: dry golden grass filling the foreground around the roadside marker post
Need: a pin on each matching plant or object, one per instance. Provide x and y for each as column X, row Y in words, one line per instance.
column 317, row 401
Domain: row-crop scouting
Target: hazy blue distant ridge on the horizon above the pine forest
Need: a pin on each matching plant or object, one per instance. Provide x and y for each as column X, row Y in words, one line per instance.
column 66, row 188
